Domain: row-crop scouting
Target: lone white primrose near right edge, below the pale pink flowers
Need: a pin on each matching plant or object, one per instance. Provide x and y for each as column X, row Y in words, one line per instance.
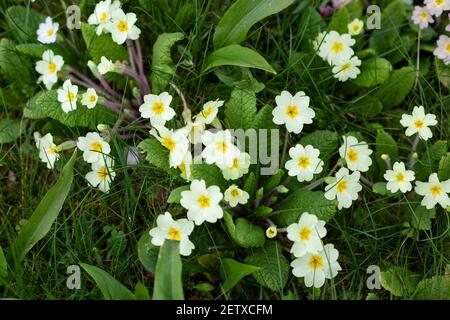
column 419, row 122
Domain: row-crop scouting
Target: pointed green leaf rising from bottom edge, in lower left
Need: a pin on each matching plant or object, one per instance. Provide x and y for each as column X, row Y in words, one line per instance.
column 109, row 286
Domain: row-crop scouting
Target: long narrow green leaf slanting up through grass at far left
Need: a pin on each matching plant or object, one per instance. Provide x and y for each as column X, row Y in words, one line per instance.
column 44, row 215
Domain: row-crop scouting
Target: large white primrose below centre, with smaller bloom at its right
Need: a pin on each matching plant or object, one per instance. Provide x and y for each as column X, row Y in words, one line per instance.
column 202, row 203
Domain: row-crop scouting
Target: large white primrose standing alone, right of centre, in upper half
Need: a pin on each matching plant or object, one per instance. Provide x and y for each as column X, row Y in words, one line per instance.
column 293, row 111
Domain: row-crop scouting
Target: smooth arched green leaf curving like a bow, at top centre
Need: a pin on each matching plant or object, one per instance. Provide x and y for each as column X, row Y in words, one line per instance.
column 236, row 55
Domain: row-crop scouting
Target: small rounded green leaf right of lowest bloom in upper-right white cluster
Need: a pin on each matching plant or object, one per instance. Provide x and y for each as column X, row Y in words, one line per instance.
column 373, row 72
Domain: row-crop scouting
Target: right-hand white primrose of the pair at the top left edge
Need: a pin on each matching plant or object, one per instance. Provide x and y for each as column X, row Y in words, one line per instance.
column 122, row 26
